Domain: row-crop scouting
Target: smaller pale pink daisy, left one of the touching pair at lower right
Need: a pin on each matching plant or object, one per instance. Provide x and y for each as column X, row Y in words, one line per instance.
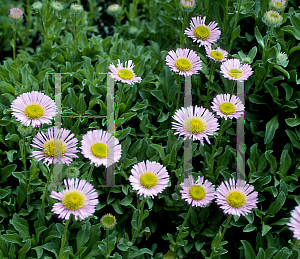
column 197, row 193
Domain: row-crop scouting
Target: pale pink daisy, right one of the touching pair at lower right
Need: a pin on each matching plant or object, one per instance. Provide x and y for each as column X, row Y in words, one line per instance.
column 236, row 197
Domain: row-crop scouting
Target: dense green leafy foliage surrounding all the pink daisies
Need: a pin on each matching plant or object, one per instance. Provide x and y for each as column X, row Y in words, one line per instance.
column 84, row 43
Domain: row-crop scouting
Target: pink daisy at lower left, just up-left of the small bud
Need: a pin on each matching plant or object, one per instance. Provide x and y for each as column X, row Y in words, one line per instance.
column 79, row 198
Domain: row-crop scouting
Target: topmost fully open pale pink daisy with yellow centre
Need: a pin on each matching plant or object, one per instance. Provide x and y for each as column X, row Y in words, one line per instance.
column 199, row 32
